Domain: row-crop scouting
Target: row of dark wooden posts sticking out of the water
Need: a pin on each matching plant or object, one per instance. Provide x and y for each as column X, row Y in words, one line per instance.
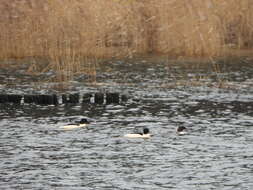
column 97, row 98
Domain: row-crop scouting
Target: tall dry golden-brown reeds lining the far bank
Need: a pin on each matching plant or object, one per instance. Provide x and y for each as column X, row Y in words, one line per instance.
column 70, row 32
